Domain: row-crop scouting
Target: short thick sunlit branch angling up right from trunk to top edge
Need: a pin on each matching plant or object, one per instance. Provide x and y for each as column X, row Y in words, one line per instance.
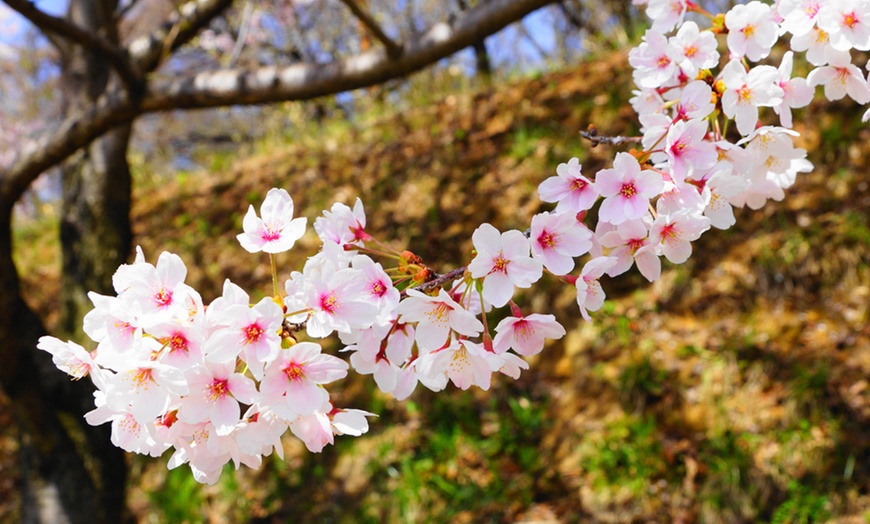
column 149, row 51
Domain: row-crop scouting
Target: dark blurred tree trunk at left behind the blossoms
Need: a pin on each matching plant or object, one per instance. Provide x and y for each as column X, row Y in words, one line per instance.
column 70, row 471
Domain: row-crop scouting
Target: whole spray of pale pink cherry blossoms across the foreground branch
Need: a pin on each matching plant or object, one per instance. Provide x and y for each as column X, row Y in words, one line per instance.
column 222, row 383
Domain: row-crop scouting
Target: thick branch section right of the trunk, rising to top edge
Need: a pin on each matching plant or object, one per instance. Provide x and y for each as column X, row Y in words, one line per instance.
column 306, row 81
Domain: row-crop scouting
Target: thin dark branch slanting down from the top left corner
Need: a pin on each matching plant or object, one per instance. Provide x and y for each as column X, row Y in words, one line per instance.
column 56, row 26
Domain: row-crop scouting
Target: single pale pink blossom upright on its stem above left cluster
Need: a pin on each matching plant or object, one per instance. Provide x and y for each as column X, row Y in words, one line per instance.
column 275, row 231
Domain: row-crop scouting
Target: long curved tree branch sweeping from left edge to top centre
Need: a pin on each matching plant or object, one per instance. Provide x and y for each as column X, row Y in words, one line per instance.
column 260, row 86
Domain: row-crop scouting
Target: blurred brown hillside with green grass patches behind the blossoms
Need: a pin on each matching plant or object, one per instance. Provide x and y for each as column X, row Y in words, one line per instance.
column 735, row 389
